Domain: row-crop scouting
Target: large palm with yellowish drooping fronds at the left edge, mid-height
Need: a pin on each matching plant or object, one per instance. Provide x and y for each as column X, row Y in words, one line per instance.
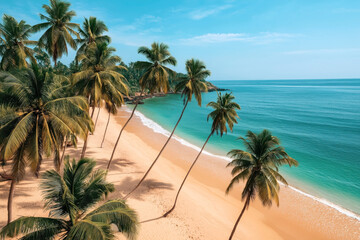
column 36, row 114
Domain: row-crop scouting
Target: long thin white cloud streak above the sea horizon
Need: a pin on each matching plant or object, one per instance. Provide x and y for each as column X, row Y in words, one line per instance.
column 262, row 38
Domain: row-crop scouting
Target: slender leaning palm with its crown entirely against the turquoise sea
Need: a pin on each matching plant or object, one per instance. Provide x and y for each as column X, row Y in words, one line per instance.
column 224, row 114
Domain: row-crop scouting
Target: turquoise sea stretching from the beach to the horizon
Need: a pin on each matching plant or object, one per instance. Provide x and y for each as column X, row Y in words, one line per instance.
column 317, row 121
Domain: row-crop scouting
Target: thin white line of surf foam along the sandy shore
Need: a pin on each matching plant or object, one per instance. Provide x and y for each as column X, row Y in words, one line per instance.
column 158, row 129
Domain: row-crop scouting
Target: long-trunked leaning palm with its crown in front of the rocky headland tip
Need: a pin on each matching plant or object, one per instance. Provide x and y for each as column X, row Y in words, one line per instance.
column 190, row 84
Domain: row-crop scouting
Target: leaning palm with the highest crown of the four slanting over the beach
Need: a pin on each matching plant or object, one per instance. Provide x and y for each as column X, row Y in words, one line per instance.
column 155, row 77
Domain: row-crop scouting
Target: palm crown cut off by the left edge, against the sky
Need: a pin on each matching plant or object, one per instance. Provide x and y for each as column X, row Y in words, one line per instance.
column 14, row 44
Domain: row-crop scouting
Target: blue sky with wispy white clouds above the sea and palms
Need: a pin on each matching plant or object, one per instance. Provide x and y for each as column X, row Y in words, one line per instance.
column 237, row 40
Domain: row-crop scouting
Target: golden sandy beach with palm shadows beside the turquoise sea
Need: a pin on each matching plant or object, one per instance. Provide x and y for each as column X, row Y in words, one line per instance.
column 203, row 210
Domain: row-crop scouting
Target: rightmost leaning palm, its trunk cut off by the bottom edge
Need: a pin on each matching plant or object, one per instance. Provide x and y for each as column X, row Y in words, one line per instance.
column 259, row 167
